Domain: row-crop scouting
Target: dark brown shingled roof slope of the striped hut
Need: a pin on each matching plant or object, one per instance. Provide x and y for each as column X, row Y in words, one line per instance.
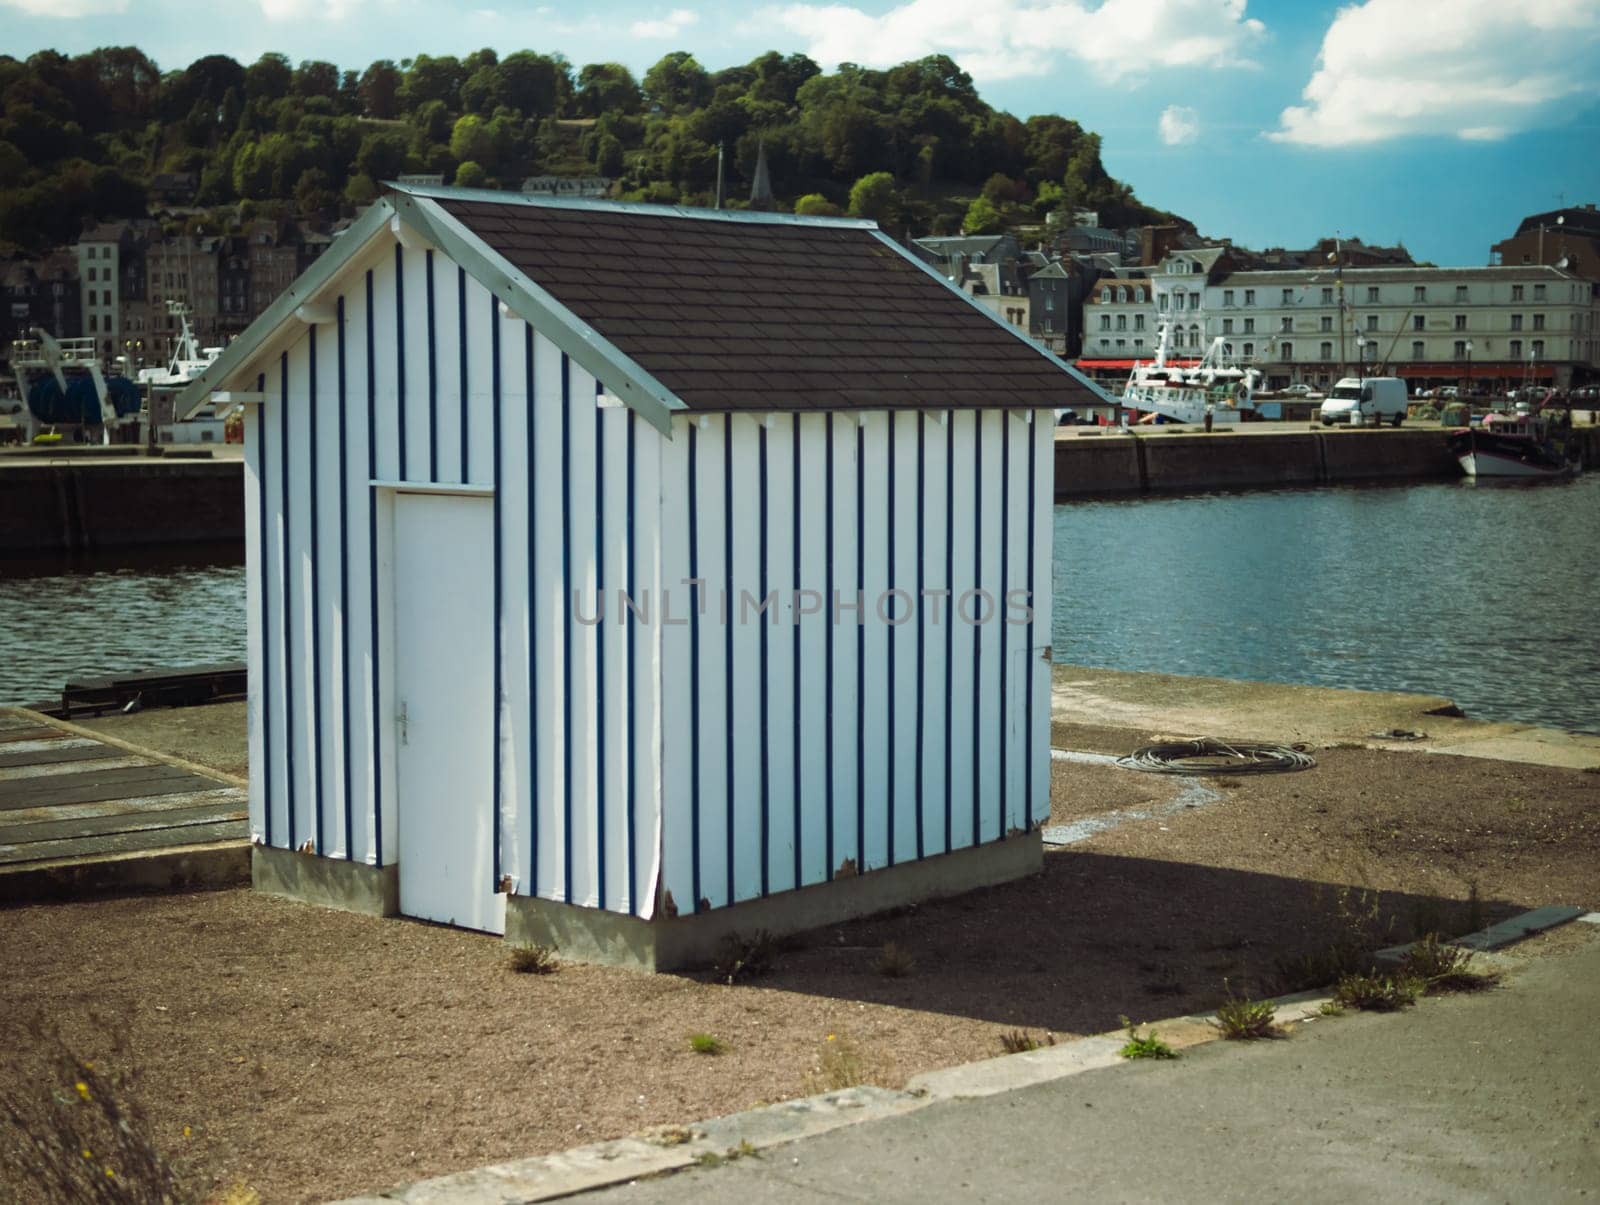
column 770, row 316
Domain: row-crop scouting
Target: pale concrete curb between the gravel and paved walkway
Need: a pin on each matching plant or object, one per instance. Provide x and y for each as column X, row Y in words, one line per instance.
column 748, row 1134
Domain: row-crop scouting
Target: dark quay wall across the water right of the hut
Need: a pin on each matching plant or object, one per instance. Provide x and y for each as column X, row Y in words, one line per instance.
column 1263, row 457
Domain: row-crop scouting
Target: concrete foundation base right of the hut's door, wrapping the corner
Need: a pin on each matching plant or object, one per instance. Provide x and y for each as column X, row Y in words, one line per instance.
column 671, row 943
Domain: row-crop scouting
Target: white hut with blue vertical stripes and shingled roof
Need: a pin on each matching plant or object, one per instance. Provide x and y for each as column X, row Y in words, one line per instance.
column 626, row 575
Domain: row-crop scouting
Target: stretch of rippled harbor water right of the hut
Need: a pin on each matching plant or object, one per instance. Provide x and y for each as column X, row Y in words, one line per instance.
column 1479, row 593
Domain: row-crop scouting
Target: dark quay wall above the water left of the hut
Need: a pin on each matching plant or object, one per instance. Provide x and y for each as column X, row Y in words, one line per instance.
column 84, row 506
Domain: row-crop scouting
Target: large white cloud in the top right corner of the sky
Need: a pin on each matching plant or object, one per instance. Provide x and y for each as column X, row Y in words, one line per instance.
column 1474, row 70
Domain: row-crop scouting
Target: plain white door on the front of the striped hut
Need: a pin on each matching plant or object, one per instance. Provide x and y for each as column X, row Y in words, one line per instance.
column 444, row 654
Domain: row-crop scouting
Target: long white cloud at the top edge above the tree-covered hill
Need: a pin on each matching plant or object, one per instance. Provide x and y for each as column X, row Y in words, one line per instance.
column 1004, row 39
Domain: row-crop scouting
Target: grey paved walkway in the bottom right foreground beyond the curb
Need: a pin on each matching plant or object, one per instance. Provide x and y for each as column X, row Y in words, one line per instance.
column 1466, row 1099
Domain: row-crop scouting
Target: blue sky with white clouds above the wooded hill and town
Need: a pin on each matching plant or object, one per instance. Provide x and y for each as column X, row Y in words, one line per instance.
column 1274, row 122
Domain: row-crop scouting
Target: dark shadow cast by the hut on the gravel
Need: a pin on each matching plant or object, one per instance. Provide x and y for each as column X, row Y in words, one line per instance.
column 1095, row 939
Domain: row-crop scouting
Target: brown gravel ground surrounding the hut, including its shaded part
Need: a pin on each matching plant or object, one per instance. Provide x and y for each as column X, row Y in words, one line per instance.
column 316, row 1054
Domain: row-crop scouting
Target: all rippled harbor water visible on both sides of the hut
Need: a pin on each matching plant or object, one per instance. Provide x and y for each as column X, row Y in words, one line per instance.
column 1482, row 594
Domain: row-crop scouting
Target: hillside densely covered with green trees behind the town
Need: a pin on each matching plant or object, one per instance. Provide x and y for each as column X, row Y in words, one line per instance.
column 914, row 146
